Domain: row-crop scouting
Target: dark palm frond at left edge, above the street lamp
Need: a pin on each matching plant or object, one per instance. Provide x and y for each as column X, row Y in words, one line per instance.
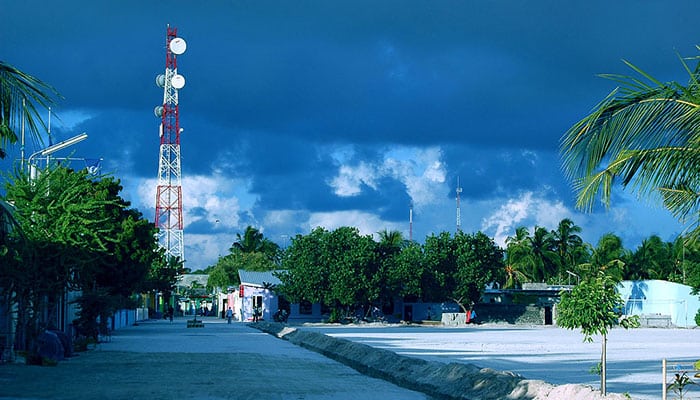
column 20, row 94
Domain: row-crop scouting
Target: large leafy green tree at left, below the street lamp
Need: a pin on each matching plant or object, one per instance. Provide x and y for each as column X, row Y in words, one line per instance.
column 81, row 235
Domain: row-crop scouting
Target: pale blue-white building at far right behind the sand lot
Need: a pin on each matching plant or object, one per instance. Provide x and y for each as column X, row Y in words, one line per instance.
column 660, row 303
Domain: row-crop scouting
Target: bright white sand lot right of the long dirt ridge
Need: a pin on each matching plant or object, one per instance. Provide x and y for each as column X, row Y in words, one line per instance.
column 552, row 354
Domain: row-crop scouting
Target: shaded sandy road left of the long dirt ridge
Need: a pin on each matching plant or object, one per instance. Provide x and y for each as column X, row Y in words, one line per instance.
column 157, row 360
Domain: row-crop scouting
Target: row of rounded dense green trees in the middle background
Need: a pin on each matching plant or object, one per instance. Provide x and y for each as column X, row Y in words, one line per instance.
column 344, row 270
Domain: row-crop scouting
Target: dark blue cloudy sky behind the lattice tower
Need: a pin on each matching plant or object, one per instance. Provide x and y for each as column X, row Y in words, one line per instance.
column 305, row 114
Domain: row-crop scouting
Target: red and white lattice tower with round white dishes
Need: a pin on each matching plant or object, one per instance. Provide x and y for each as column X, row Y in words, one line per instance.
column 168, row 218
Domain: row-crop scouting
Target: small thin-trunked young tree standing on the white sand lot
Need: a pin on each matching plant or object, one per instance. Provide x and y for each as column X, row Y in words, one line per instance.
column 595, row 307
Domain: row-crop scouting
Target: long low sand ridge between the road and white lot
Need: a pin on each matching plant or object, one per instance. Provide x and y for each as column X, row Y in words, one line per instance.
column 447, row 381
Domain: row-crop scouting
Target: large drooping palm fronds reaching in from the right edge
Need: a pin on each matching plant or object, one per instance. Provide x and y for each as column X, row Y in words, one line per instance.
column 644, row 135
